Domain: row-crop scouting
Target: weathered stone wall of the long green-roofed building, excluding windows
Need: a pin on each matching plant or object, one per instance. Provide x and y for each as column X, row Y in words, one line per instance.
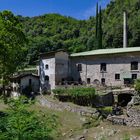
column 120, row 64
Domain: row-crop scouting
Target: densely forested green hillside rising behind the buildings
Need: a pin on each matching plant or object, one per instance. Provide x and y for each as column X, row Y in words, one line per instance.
column 53, row 31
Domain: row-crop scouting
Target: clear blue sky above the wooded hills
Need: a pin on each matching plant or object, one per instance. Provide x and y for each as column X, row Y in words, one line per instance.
column 80, row 9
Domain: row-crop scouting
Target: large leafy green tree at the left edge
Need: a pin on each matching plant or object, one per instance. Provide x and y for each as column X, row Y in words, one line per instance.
column 12, row 45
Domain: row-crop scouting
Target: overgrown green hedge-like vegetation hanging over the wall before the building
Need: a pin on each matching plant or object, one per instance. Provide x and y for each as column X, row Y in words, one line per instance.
column 78, row 95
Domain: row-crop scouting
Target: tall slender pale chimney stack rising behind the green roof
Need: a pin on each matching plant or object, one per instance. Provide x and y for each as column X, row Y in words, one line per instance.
column 124, row 29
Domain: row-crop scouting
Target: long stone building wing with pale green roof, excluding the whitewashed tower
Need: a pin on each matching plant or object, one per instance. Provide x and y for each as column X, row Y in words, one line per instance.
column 111, row 67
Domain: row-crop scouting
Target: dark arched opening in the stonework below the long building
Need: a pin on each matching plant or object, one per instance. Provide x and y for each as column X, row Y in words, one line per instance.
column 124, row 99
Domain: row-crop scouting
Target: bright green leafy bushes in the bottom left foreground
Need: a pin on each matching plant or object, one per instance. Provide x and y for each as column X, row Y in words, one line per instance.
column 18, row 123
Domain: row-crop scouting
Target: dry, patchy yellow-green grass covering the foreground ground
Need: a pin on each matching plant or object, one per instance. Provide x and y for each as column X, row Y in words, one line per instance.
column 70, row 125
